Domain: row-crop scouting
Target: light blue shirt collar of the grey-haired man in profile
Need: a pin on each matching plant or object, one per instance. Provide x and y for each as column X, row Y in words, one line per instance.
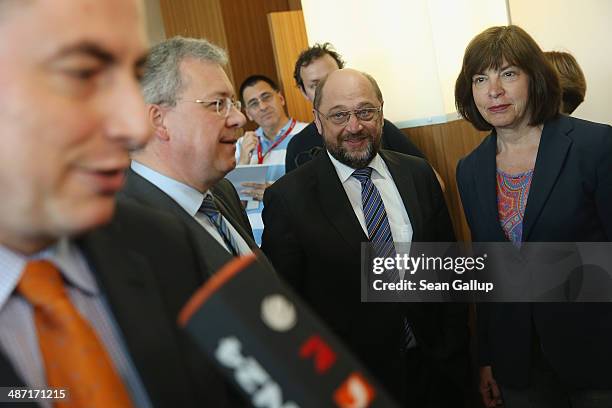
column 186, row 196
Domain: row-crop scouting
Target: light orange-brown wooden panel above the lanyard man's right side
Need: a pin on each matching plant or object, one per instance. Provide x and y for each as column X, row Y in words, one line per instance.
column 289, row 38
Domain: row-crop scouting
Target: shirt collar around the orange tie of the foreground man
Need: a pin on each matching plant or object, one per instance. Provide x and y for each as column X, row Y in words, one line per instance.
column 64, row 254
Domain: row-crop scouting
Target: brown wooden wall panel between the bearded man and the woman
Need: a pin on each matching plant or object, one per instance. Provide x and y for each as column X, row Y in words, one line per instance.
column 444, row 145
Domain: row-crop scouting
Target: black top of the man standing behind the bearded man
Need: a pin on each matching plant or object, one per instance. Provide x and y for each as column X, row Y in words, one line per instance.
column 299, row 147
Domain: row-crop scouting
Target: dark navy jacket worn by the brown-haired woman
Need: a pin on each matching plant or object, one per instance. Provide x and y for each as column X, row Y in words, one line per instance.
column 570, row 200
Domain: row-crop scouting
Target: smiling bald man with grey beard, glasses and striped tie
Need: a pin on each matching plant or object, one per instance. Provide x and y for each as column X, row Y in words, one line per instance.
column 316, row 218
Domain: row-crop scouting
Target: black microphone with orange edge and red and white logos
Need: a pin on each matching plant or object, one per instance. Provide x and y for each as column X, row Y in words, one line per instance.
column 271, row 347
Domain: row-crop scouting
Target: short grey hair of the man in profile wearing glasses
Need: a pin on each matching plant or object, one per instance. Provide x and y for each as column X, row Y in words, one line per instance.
column 162, row 81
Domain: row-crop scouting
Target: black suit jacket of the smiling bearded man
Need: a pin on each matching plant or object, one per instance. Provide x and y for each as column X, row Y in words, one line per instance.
column 313, row 238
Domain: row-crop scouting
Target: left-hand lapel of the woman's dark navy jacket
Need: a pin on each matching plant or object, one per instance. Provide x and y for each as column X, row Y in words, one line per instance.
column 486, row 186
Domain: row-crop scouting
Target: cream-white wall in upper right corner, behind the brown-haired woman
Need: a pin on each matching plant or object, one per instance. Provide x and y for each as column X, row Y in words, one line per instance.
column 583, row 28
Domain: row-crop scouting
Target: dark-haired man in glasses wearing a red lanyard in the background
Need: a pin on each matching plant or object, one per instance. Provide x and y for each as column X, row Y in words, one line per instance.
column 264, row 105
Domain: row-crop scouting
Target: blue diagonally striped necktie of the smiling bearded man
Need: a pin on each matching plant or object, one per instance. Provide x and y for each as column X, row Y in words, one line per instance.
column 379, row 234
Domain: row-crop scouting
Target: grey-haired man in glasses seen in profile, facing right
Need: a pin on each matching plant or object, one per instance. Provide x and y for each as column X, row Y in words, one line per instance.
column 195, row 121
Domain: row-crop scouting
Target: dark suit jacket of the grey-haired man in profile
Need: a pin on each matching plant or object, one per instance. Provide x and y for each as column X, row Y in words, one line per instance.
column 213, row 254
